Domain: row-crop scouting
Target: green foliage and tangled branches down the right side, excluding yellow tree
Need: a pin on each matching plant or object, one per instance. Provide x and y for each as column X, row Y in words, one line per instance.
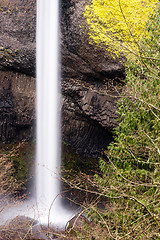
column 131, row 178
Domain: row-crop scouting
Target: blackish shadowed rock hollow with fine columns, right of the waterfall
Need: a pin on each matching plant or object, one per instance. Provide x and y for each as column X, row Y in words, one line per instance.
column 83, row 134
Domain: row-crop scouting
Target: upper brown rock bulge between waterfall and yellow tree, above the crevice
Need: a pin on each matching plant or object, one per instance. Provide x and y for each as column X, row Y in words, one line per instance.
column 79, row 55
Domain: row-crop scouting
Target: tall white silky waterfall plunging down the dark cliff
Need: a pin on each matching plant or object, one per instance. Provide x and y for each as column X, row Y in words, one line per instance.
column 48, row 116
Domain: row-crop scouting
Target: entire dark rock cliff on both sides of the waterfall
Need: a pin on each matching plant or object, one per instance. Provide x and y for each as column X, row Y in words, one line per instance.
column 90, row 78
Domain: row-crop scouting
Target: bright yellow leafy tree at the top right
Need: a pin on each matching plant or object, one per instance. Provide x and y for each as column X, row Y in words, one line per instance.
column 119, row 23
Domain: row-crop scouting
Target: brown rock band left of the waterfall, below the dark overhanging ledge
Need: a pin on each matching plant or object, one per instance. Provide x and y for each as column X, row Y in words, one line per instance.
column 17, row 106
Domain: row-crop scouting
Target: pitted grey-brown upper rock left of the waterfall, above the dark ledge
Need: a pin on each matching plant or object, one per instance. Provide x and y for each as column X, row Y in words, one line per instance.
column 17, row 35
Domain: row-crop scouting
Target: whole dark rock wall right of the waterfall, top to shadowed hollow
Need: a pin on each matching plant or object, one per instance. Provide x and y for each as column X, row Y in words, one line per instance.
column 90, row 84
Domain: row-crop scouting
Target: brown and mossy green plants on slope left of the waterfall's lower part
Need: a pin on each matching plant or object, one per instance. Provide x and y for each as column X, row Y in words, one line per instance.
column 16, row 162
